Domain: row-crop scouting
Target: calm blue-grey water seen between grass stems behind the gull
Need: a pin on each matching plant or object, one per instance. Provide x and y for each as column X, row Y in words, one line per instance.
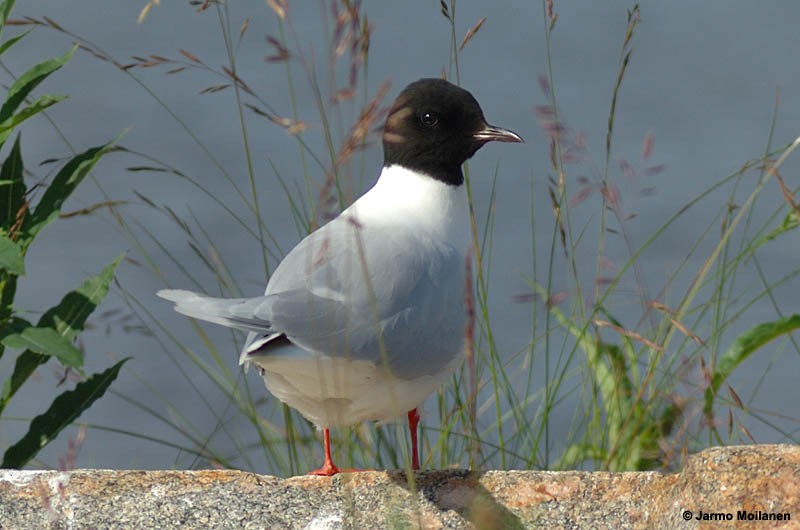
column 703, row 79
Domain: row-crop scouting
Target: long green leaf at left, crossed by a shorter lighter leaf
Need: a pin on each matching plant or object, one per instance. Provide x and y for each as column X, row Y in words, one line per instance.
column 67, row 318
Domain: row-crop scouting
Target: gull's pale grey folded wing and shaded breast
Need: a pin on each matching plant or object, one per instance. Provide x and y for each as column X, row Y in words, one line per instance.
column 354, row 292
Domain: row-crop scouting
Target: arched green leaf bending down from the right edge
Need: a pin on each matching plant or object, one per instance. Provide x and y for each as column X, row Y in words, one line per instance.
column 745, row 345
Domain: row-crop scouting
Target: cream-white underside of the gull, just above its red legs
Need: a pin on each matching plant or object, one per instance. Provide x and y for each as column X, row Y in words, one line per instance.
column 337, row 392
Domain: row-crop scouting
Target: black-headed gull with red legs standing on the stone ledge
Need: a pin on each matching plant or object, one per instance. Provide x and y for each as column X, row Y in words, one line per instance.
column 367, row 315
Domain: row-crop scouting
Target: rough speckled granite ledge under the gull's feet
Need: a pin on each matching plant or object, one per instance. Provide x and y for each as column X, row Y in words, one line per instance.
column 720, row 481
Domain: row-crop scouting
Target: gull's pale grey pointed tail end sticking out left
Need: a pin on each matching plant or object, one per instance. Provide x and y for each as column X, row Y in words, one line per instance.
column 230, row 312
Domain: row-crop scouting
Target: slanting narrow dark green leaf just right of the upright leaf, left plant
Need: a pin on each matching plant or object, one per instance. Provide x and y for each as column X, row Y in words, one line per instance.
column 62, row 187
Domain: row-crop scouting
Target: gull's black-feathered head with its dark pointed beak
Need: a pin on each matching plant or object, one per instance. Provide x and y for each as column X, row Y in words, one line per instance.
column 435, row 126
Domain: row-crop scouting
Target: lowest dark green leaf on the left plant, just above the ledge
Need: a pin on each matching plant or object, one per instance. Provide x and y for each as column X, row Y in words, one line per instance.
column 65, row 409
